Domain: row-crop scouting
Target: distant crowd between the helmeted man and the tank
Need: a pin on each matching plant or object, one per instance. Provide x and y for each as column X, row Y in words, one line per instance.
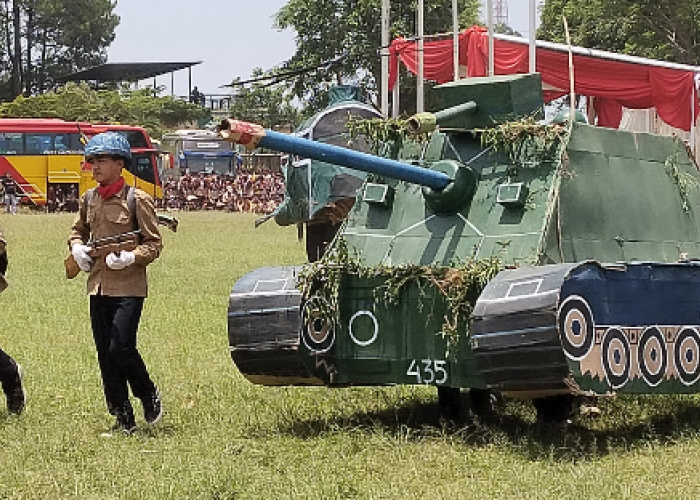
column 247, row 191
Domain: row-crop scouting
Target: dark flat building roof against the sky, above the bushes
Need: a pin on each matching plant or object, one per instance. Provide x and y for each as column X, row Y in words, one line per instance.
column 126, row 72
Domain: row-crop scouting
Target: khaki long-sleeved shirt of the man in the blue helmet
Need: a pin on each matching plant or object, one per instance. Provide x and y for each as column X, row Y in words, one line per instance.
column 111, row 217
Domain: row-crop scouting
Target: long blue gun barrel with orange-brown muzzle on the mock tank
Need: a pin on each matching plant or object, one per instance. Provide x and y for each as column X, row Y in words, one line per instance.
column 252, row 136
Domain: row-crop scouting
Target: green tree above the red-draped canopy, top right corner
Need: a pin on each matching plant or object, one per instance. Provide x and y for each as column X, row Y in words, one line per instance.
column 647, row 28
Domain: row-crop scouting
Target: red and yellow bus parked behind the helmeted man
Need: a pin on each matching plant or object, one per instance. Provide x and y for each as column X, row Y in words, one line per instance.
column 45, row 156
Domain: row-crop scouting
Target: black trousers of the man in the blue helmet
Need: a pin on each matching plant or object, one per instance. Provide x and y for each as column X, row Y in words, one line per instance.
column 115, row 321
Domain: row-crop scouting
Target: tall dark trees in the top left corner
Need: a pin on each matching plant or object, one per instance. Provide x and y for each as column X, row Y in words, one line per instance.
column 44, row 39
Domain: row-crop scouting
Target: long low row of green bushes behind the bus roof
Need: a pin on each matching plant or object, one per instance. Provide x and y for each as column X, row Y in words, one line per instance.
column 77, row 102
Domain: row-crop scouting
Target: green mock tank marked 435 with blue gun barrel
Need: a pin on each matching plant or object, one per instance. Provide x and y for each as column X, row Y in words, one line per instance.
column 537, row 261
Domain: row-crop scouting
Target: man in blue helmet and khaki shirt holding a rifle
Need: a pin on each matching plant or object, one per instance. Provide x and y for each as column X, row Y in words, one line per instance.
column 117, row 283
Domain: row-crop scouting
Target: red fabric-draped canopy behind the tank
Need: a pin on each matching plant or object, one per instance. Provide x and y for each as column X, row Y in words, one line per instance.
column 613, row 80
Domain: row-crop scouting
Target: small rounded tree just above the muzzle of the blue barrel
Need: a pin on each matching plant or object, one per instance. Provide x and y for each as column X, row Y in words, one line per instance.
column 263, row 102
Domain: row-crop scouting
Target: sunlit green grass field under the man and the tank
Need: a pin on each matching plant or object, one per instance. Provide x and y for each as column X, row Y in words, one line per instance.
column 224, row 438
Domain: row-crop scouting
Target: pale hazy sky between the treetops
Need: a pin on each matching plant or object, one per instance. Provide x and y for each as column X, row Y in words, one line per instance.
column 230, row 37
